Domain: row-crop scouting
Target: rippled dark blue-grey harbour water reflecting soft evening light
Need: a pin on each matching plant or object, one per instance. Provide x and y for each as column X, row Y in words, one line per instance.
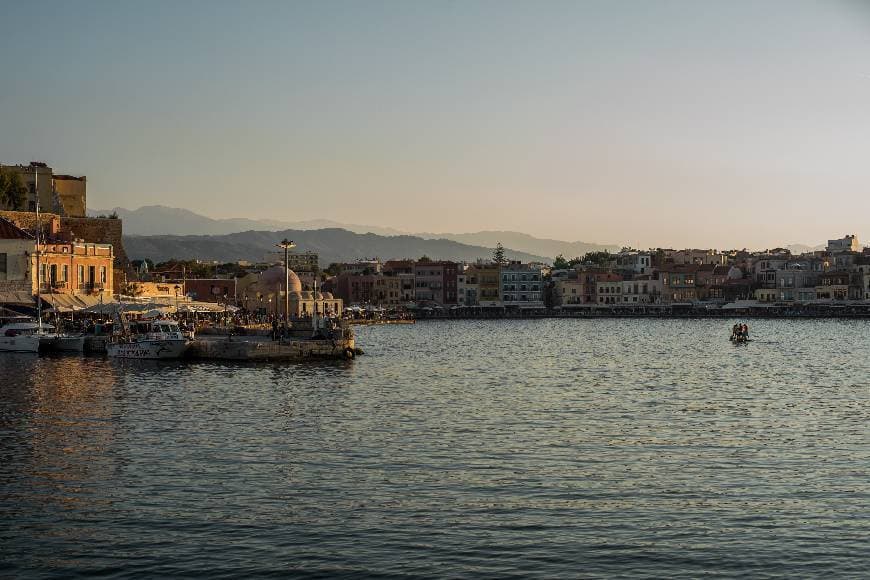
column 588, row 448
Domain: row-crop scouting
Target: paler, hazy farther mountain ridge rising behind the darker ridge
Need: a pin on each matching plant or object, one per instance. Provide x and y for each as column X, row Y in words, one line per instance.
column 162, row 220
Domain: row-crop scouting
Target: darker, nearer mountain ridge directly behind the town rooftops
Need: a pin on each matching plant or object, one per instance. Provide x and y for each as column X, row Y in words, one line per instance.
column 332, row 245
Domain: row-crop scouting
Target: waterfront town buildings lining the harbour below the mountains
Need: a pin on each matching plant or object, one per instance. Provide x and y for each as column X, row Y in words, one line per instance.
column 83, row 264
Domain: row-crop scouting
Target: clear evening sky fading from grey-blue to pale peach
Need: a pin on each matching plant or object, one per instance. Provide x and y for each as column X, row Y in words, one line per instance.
column 645, row 123
